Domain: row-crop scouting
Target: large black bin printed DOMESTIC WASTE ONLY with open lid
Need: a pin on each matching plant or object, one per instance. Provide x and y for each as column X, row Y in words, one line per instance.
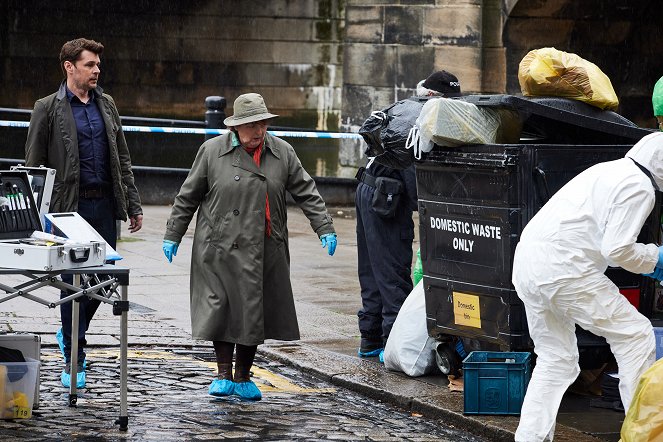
column 474, row 202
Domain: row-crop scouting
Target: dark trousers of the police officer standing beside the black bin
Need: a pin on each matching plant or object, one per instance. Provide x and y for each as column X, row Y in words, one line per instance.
column 384, row 248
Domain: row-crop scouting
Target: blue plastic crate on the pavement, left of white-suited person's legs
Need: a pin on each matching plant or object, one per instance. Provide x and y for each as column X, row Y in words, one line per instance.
column 495, row 382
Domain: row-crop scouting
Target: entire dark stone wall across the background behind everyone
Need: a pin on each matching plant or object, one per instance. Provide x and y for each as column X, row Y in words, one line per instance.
column 323, row 64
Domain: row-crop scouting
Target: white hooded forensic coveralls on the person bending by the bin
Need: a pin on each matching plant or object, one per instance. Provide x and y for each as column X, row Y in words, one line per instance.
column 558, row 273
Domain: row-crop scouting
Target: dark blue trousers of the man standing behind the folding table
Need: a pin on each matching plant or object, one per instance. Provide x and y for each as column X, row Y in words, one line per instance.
column 100, row 214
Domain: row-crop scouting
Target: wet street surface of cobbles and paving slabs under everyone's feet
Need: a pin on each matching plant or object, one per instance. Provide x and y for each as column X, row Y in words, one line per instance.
column 169, row 398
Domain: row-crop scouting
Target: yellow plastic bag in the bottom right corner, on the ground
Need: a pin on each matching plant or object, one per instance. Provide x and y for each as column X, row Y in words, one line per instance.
column 644, row 419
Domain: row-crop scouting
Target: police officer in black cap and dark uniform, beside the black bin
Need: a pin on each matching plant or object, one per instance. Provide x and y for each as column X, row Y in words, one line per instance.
column 385, row 200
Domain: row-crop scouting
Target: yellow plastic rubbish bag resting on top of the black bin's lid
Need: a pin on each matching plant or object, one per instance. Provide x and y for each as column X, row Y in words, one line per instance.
column 550, row 72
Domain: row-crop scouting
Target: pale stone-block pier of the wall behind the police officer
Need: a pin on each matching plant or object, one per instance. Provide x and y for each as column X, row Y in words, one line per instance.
column 391, row 45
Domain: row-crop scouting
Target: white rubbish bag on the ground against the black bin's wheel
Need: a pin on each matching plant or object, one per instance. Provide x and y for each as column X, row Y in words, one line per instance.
column 409, row 348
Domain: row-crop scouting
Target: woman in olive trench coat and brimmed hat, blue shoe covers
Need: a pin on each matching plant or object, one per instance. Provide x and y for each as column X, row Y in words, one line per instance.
column 240, row 278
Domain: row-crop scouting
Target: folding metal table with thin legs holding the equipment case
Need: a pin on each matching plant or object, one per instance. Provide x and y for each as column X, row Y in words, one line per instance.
column 111, row 288
